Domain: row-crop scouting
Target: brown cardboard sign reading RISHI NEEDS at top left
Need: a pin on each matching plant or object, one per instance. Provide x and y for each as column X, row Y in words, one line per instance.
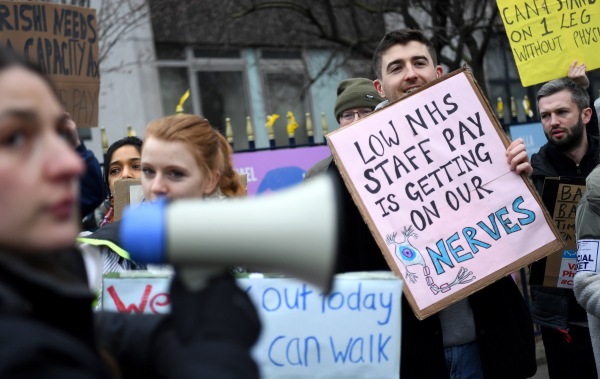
column 62, row 40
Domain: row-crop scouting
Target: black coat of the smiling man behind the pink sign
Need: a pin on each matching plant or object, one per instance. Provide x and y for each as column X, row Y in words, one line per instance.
column 502, row 319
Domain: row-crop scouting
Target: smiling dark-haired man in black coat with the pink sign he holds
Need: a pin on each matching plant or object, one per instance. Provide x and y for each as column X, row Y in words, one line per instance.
column 486, row 333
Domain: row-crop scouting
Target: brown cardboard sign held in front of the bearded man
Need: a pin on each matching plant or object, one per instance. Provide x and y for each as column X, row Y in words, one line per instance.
column 561, row 196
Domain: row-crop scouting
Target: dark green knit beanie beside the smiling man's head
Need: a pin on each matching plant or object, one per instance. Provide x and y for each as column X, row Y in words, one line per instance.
column 356, row 93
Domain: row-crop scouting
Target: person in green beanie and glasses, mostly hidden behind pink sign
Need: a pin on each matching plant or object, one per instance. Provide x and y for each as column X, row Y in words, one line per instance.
column 357, row 98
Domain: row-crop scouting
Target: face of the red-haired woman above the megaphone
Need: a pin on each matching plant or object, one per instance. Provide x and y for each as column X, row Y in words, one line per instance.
column 170, row 169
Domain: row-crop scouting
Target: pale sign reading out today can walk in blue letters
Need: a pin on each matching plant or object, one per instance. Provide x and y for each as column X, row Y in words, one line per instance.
column 352, row 332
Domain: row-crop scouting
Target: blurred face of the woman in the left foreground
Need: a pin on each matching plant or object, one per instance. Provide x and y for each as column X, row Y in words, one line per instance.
column 39, row 171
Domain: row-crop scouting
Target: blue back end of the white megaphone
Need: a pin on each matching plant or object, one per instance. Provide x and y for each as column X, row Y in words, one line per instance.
column 143, row 232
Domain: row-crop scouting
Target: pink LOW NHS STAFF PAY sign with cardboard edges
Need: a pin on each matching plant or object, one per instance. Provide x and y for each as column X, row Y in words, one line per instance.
column 430, row 177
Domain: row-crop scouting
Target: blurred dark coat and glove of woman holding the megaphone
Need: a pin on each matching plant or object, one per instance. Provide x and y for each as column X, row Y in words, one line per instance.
column 48, row 330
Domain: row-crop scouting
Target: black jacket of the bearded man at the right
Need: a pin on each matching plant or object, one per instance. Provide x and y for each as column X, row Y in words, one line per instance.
column 556, row 307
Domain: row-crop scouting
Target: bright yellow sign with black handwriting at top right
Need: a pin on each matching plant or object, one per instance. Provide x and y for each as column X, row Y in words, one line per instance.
column 546, row 36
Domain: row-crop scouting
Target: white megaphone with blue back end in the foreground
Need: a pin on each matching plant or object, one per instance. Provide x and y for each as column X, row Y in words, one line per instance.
column 295, row 232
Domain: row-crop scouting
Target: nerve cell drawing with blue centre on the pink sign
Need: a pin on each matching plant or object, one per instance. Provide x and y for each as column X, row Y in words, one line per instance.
column 410, row 256
